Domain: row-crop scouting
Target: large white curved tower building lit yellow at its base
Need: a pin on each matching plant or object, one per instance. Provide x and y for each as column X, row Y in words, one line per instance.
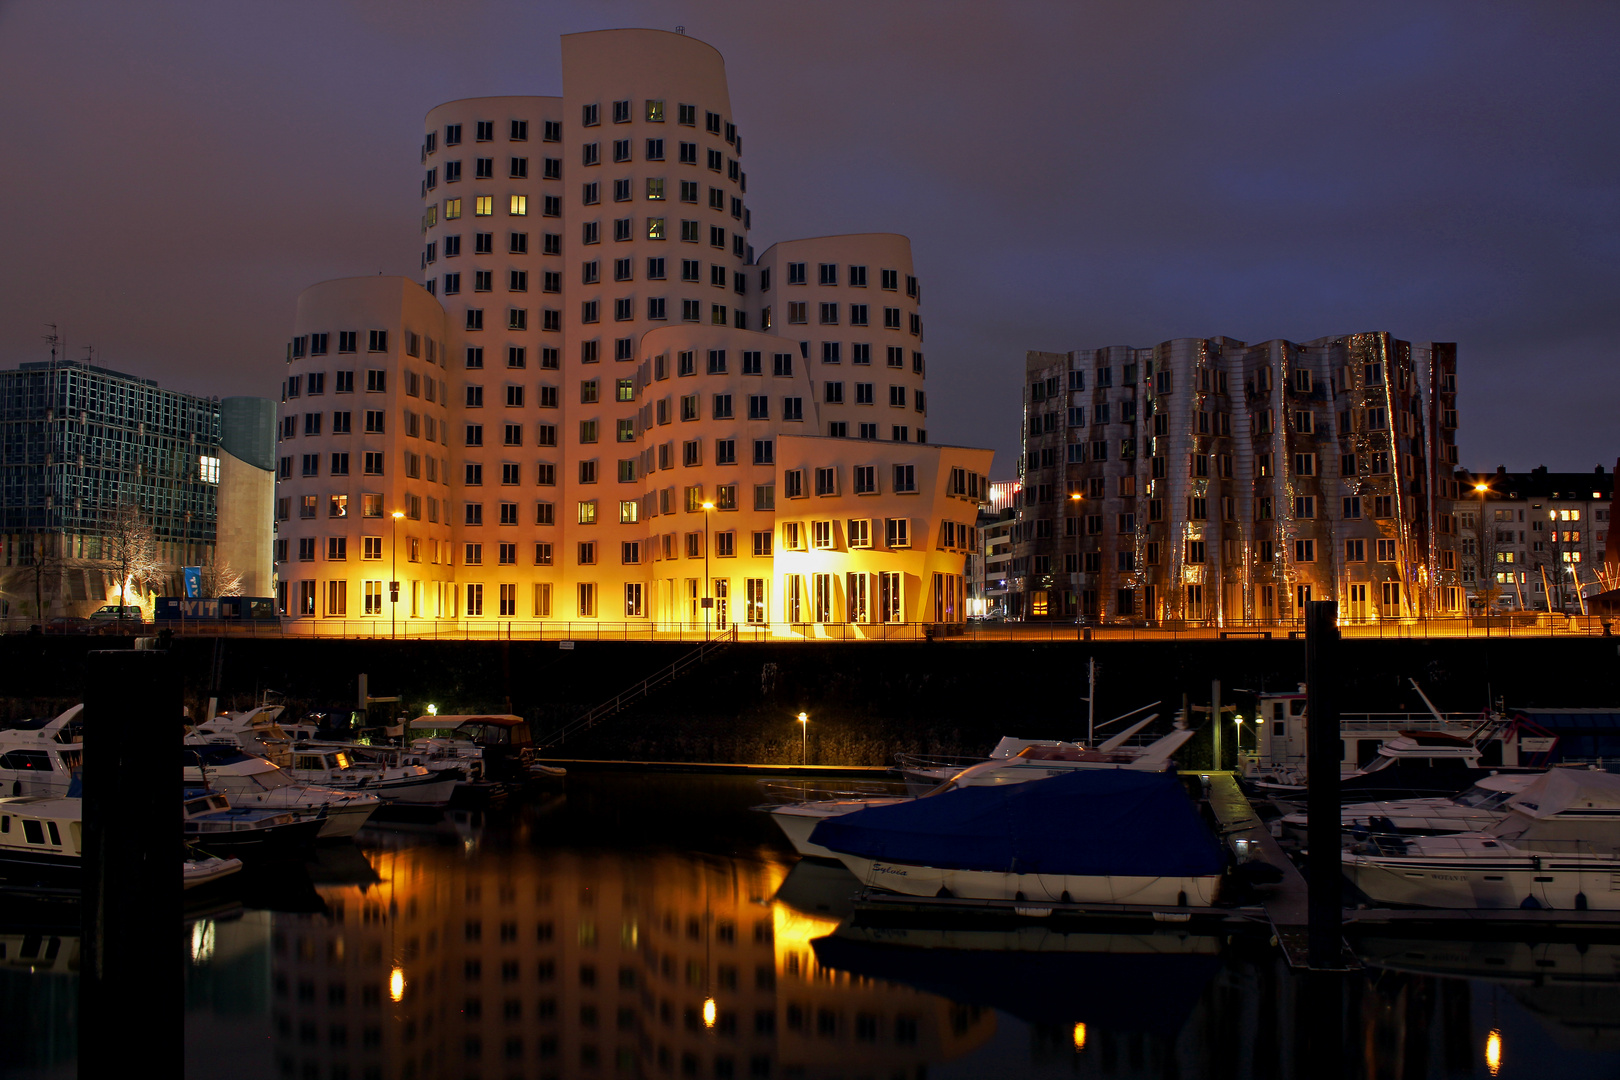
column 600, row 406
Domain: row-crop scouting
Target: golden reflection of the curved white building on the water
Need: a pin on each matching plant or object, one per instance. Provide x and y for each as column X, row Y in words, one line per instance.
column 569, row 963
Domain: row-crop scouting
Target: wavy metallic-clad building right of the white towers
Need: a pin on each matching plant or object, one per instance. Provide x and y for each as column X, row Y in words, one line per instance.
column 1213, row 482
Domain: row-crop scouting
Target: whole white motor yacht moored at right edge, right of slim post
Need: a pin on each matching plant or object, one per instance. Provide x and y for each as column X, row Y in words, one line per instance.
column 1559, row 848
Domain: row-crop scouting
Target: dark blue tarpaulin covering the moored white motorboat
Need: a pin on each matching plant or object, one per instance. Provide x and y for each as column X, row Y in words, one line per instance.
column 1083, row 823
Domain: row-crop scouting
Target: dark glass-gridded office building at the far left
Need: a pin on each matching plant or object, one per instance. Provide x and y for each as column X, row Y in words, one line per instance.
column 79, row 444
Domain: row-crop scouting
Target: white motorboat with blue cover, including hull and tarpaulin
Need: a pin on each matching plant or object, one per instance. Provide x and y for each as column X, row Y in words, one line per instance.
column 1094, row 836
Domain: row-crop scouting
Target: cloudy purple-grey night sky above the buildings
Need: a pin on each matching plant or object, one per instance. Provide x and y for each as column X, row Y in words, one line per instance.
column 1072, row 176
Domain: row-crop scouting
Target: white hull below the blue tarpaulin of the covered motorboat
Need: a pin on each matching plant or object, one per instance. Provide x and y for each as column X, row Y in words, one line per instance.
column 979, row 885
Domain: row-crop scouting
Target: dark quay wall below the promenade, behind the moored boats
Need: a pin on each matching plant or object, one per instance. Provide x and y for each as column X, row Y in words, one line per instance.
column 866, row 702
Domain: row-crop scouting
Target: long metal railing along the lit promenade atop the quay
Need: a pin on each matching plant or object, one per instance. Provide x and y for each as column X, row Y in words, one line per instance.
column 1509, row 627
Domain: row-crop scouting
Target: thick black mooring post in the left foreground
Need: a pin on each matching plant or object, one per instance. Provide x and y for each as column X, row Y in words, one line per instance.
column 132, row 989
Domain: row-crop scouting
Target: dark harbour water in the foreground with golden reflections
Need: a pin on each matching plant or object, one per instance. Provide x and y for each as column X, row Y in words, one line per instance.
column 654, row 927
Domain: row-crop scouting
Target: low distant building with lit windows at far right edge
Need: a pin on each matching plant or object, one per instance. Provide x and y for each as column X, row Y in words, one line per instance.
column 1543, row 540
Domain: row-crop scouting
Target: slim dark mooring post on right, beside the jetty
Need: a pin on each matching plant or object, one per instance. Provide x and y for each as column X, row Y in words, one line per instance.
column 1323, row 755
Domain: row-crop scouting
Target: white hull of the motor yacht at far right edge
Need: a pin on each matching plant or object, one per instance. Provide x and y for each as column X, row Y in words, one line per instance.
column 1559, row 883
